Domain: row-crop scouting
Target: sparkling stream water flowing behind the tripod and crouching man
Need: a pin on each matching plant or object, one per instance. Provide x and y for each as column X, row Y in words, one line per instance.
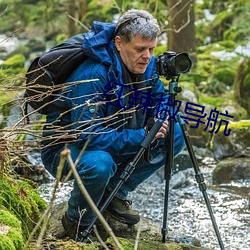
column 187, row 212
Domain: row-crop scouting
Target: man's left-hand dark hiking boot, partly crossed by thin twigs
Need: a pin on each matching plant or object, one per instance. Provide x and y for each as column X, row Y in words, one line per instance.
column 75, row 231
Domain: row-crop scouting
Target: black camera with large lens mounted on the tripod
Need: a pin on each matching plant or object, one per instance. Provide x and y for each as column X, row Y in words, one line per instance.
column 171, row 65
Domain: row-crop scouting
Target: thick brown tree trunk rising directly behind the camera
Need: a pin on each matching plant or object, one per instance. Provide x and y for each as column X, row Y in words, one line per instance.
column 181, row 27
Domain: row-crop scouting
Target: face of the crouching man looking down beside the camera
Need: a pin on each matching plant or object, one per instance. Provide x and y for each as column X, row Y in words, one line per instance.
column 137, row 53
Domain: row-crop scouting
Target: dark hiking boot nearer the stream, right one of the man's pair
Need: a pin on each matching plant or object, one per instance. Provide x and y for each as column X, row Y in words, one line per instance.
column 121, row 211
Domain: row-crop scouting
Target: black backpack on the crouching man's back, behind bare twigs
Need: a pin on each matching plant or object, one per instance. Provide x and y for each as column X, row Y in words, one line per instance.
column 47, row 73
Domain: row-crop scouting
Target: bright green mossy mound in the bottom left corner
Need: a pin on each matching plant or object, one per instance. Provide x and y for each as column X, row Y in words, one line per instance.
column 11, row 237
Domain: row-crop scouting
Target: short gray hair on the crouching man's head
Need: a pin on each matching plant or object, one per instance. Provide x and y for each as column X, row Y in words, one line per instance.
column 137, row 22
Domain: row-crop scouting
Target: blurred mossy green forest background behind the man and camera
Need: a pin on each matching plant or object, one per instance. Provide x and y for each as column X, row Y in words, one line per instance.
column 214, row 33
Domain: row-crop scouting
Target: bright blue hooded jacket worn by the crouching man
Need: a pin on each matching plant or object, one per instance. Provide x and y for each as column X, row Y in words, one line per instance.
column 92, row 116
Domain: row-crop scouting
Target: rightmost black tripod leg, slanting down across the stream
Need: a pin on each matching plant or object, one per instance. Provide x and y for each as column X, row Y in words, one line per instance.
column 199, row 177
